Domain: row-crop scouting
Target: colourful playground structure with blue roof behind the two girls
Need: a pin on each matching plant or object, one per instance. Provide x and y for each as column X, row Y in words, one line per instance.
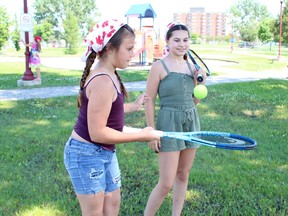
column 149, row 46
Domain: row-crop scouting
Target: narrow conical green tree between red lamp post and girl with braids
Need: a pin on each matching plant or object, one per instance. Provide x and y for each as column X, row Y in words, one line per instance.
column 71, row 33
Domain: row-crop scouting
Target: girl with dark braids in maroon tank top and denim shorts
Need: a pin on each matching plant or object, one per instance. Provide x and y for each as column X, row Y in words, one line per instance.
column 90, row 152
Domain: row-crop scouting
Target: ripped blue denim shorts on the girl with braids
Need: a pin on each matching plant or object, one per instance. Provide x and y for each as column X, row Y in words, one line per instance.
column 92, row 169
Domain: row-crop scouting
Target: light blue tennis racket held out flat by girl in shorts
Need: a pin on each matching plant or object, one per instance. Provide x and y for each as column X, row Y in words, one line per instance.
column 215, row 139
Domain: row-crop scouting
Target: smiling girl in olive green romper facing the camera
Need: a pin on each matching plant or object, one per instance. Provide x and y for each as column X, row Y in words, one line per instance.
column 173, row 79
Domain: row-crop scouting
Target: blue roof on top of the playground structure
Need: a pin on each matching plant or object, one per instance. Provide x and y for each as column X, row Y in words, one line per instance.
column 141, row 10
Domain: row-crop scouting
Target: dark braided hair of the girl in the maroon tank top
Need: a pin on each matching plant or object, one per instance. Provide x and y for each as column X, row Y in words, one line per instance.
column 115, row 43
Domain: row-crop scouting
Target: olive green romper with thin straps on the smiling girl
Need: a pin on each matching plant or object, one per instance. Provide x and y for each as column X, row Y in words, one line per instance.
column 177, row 112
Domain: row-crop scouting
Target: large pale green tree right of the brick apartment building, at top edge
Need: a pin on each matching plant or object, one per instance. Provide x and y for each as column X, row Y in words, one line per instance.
column 247, row 17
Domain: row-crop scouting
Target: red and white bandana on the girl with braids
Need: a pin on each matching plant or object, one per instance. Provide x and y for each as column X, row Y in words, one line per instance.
column 100, row 35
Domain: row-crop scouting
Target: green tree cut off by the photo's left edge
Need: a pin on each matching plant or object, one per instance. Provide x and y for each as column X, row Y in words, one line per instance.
column 4, row 26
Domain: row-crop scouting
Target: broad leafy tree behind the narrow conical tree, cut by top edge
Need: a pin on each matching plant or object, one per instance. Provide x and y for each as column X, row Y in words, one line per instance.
column 55, row 12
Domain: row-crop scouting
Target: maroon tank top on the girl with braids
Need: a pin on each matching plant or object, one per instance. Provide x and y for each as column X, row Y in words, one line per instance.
column 115, row 119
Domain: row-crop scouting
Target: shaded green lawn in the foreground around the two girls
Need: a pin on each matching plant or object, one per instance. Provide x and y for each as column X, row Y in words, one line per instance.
column 34, row 180
